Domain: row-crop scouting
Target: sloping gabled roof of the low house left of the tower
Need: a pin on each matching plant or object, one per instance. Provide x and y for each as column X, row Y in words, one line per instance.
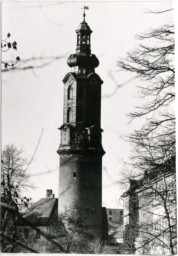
column 40, row 212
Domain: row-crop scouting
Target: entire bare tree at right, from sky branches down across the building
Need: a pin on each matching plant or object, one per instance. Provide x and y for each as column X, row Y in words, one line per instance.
column 154, row 143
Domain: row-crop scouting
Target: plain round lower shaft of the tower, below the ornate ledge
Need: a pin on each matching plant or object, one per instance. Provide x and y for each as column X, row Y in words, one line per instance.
column 80, row 186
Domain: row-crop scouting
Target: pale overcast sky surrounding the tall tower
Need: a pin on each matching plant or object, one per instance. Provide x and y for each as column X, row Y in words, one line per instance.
column 32, row 105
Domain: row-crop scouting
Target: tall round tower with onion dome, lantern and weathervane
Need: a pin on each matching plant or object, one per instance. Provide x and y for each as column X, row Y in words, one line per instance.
column 81, row 149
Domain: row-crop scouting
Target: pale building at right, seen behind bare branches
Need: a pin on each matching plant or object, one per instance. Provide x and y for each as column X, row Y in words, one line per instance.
column 150, row 212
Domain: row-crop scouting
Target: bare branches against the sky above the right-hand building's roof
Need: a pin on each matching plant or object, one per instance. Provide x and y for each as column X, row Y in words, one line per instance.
column 155, row 141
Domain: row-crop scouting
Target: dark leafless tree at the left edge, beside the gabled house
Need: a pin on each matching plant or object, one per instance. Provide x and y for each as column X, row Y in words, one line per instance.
column 14, row 180
